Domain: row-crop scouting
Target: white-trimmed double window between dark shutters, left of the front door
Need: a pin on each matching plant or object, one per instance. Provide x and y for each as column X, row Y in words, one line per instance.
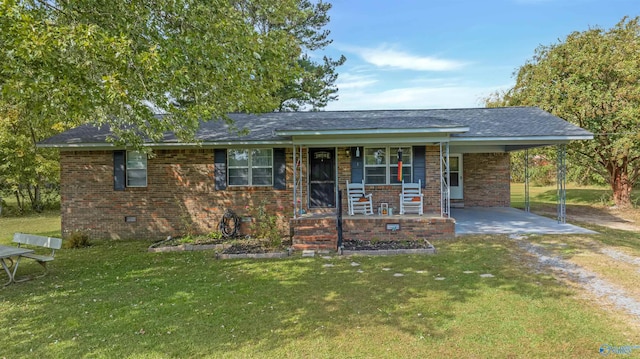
column 250, row 167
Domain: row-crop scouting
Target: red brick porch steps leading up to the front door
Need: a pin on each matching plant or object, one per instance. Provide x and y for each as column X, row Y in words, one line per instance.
column 314, row 233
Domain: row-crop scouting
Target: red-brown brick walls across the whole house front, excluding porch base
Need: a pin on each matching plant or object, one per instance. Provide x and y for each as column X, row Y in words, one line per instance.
column 181, row 196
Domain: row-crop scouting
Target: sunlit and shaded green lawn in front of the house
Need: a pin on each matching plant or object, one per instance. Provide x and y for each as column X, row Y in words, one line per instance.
column 114, row 299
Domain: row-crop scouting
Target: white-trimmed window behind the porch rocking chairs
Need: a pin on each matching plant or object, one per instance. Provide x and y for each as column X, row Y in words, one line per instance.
column 381, row 165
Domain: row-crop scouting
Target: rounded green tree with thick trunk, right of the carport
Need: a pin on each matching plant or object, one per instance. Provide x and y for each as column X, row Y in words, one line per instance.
column 591, row 79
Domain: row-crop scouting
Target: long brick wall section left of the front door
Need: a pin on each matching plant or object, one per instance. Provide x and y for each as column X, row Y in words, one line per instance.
column 180, row 196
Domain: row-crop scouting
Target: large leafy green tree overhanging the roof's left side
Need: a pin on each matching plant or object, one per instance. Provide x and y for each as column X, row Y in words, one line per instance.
column 116, row 63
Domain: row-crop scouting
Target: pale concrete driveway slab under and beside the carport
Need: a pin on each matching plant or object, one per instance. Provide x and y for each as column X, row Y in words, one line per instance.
column 506, row 220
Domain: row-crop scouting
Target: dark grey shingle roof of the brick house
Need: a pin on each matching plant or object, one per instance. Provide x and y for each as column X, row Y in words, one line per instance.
column 499, row 123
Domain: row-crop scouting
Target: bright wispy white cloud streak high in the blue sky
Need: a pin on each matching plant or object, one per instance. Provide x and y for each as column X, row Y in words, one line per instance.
column 385, row 56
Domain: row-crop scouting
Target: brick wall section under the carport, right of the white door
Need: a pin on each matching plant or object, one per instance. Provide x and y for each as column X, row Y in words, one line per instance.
column 486, row 180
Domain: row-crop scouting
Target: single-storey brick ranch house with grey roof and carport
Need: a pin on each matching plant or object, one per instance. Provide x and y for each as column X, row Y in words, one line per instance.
column 295, row 164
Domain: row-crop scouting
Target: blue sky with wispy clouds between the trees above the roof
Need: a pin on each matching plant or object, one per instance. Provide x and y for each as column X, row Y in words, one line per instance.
column 407, row 54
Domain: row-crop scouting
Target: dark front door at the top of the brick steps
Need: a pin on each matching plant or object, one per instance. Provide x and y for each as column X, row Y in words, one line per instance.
column 322, row 178
